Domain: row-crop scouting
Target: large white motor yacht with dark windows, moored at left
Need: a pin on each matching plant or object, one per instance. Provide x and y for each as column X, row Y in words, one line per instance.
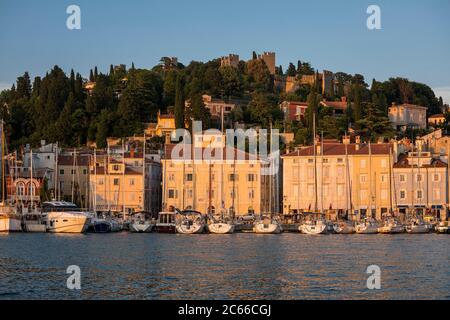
column 64, row 217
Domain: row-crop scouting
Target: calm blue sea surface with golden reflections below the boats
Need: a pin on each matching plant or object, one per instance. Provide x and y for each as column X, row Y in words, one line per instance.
column 238, row 266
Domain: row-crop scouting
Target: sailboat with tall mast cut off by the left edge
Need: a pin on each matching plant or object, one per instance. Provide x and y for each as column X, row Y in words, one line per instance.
column 10, row 220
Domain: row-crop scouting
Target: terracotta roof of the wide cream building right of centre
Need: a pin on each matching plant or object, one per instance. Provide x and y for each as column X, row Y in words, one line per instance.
column 336, row 149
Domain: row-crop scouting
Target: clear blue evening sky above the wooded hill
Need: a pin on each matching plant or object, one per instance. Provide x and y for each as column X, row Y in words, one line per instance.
column 413, row 42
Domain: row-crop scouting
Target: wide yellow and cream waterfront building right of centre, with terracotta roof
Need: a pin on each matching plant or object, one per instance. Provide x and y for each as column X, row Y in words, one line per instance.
column 342, row 177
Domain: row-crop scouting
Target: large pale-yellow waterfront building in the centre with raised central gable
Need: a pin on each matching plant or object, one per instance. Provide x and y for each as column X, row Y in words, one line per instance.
column 214, row 185
